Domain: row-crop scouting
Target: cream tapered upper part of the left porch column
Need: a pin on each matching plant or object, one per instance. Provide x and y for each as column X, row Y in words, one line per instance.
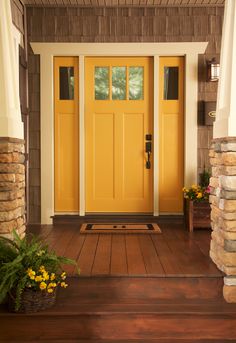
column 10, row 114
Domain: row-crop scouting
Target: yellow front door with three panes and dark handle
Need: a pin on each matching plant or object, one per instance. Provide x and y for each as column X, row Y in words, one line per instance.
column 118, row 116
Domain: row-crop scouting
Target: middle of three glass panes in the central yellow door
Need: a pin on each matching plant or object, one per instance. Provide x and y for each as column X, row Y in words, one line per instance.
column 118, row 83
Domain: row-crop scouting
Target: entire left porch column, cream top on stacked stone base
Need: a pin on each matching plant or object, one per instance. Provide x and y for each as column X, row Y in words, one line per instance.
column 12, row 170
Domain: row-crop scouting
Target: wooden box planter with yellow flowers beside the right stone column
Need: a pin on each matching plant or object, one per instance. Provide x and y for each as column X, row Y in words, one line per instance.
column 197, row 209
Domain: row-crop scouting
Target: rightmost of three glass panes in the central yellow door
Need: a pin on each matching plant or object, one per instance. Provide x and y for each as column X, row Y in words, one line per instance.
column 135, row 83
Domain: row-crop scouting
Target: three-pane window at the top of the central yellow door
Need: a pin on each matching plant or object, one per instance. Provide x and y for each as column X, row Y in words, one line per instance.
column 119, row 83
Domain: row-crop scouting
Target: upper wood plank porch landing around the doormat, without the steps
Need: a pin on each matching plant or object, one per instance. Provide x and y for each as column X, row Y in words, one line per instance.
column 174, row 252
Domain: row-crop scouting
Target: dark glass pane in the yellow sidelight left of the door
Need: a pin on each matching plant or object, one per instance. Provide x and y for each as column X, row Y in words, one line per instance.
column 66, row 83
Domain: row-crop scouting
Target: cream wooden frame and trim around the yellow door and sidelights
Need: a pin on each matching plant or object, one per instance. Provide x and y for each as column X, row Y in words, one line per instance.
column 190, row 50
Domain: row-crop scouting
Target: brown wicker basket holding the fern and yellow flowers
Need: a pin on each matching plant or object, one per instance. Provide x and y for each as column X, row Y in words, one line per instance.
column 32, row 301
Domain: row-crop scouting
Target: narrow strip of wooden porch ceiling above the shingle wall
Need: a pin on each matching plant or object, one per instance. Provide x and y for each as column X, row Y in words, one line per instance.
column 121, row 3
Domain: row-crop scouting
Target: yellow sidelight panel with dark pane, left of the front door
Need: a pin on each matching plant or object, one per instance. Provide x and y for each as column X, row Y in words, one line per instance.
column 66, row 141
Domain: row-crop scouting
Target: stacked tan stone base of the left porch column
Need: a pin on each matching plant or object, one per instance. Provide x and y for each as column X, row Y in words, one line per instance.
column 12, row 187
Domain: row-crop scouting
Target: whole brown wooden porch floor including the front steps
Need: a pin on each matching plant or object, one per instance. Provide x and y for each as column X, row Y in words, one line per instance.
column 134, row 288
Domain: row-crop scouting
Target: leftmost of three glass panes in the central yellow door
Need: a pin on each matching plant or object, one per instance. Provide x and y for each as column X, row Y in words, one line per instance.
column 101, row 82
